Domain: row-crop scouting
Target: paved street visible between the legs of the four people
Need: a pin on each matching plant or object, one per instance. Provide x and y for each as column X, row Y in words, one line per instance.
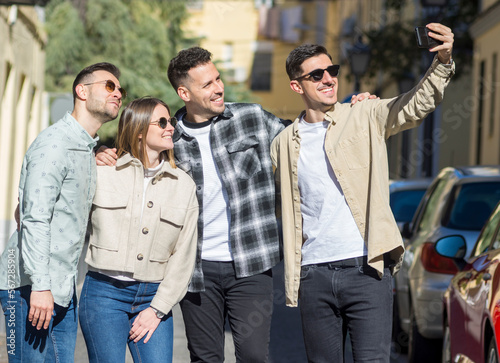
column 286, row 335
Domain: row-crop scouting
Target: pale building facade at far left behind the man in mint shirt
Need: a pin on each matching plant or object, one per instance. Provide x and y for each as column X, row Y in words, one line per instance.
column 22, row 105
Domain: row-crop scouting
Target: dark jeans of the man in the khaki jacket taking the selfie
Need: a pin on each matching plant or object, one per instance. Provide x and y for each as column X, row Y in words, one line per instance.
column 337, row 299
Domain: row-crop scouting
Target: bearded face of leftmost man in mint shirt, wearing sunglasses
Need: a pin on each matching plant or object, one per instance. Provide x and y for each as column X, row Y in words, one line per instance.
column 100, row 103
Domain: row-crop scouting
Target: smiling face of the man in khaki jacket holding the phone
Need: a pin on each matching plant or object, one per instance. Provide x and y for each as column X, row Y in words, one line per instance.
column 317, row 95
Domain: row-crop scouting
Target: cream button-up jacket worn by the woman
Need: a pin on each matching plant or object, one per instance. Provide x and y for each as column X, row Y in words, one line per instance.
column 161, row 247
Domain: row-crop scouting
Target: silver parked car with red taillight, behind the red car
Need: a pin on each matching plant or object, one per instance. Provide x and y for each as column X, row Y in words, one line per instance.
column 459, row 200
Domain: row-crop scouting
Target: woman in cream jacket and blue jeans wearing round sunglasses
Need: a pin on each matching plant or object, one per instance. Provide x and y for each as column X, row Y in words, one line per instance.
column 143, row 241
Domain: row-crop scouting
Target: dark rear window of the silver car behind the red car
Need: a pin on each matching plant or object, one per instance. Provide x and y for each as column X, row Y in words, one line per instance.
column 471, row 205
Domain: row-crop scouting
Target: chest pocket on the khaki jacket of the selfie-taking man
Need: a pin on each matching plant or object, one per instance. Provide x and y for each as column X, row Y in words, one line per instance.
column 356, row 150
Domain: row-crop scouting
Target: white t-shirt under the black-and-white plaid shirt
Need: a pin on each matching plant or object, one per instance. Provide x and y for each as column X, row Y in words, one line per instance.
column 216, row 212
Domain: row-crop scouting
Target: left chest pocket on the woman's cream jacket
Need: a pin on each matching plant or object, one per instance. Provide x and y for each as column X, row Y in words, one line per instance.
column 109, row 225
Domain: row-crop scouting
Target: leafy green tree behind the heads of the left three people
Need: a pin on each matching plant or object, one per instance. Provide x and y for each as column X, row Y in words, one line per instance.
column 140, row 37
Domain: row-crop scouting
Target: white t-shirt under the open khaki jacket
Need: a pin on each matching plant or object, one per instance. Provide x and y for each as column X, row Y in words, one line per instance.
column 329, row 230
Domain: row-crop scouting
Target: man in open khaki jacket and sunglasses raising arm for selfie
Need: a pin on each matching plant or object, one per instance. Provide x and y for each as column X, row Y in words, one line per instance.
column 341, row 242
